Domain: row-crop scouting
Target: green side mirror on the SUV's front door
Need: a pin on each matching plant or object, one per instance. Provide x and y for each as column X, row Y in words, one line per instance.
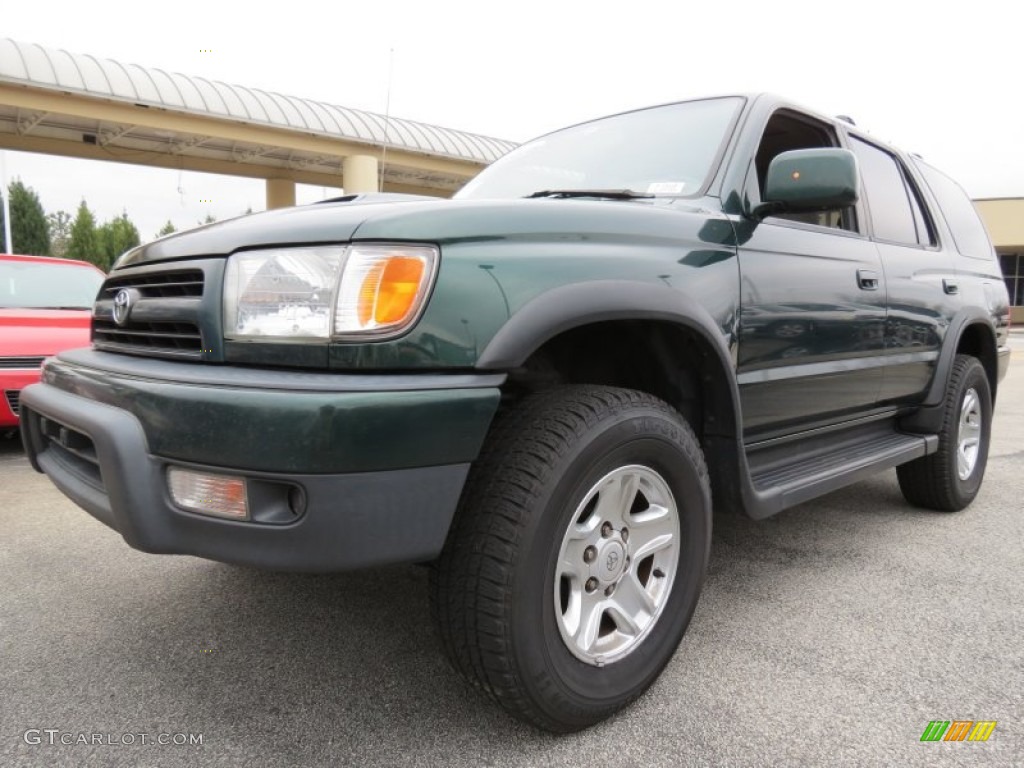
column 810, row 181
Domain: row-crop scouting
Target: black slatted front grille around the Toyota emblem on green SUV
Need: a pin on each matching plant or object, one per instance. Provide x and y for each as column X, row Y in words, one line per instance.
column 163, row 320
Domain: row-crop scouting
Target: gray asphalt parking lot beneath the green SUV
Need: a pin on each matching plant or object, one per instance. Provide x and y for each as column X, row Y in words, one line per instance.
column 829, row 635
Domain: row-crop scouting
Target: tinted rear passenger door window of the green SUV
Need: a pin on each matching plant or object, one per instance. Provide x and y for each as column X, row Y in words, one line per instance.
column 898, row 215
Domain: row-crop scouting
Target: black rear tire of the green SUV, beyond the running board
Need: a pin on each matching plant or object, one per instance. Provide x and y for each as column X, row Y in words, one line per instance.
column 935, row 482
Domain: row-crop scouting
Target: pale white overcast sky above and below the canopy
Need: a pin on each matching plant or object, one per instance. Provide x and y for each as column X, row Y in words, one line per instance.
column 940, row 79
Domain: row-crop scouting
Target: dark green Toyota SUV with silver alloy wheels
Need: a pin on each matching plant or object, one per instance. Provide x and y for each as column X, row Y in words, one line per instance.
column 543, row 387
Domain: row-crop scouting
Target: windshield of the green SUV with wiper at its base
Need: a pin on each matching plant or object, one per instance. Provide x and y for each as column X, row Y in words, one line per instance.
column 661, row 151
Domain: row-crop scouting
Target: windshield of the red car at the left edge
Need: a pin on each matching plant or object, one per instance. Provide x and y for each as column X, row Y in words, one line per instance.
column 36, row 285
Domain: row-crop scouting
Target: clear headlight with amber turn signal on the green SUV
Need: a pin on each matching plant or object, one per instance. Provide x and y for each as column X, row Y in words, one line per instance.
column 320, row 292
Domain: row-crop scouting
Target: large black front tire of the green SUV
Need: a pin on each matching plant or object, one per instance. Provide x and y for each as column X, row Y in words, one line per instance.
column 494, row 599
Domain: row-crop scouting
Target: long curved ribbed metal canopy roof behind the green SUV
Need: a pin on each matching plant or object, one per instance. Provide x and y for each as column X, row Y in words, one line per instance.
column 59, row 72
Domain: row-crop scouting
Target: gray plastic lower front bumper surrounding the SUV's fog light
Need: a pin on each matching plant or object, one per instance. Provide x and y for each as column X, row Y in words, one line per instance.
column 98, row 456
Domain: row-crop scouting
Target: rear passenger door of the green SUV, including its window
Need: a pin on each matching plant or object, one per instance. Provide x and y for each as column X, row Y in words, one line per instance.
column 920, row 277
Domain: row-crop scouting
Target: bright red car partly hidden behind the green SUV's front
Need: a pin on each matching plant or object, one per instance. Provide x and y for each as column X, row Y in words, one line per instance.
column 46, row 306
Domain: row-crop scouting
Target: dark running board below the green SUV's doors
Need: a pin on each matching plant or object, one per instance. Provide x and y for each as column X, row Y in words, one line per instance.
column 791, row 474
